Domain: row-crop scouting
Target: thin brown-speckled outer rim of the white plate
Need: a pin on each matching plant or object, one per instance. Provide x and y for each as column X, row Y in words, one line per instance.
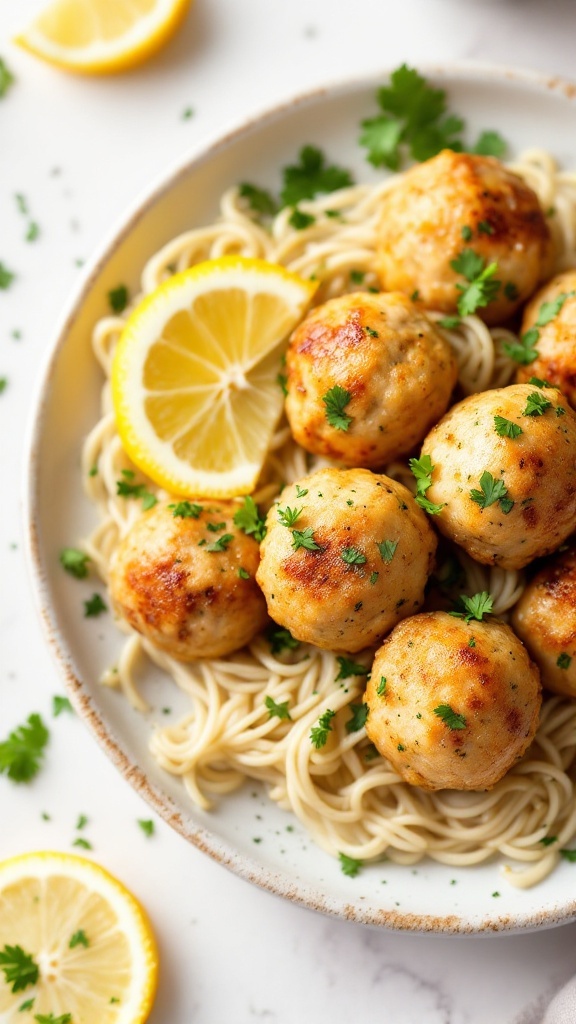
column 246, row 868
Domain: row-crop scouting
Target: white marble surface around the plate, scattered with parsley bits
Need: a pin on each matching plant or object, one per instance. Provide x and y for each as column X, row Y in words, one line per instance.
column 80, row 151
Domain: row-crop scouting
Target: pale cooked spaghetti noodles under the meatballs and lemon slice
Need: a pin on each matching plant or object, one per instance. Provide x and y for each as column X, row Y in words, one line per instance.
column 347, row 796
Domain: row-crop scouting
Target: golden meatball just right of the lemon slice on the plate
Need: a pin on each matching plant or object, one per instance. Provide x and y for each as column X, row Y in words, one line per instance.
column 368, row 375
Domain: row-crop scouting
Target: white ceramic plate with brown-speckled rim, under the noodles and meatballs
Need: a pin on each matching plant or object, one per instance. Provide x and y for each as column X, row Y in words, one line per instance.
column 528, row 111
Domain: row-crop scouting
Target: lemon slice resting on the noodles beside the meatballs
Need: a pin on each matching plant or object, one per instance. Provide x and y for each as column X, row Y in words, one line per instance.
column 195, row 375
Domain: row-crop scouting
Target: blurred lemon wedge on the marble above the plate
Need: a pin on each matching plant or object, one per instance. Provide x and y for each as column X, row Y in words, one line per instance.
column 99, row 37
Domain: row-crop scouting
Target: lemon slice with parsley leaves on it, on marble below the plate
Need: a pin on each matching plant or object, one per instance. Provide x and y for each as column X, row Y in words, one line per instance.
column 85, row 932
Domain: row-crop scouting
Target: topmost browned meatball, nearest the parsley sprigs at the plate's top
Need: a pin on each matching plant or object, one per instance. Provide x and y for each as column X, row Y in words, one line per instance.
column 458, row 202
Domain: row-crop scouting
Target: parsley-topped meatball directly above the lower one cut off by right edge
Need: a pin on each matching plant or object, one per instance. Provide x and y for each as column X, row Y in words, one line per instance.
column 504, row 475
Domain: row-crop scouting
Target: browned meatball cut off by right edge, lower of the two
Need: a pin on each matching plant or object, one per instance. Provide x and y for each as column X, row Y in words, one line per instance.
column 546, row 619
